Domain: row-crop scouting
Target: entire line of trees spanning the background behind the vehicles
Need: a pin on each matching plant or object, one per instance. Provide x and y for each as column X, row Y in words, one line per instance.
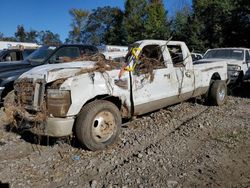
column 208, row 24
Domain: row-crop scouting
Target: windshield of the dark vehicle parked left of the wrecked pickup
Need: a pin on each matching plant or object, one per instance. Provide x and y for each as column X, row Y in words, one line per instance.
column 40, row 54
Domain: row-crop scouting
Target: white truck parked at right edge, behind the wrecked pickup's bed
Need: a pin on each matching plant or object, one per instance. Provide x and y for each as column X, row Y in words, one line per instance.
column 237, row 59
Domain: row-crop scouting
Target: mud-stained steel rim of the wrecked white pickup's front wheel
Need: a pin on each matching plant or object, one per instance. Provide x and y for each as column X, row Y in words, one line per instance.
column 103, row 126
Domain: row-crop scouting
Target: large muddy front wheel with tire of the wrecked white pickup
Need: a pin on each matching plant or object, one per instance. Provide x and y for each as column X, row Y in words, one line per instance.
column 93, row 121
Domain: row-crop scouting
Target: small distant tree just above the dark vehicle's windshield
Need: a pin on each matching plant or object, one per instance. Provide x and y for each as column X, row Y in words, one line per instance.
column 49, row 38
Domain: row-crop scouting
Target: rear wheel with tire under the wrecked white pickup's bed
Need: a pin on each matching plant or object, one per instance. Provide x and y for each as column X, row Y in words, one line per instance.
column 217, row 93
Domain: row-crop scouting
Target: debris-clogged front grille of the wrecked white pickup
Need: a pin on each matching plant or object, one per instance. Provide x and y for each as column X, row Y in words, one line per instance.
column 30, row 93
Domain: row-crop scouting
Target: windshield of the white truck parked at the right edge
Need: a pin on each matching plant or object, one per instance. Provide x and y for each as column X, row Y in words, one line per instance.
column 225, row 54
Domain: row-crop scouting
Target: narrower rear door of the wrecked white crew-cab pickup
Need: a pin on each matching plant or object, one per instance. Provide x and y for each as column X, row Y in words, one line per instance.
column 183, row 68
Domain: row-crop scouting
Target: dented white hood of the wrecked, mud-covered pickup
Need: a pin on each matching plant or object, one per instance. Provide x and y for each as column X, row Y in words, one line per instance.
column 52, row 72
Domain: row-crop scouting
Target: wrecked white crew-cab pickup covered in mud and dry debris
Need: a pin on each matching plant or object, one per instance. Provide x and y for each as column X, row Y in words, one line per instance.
column 90, row 98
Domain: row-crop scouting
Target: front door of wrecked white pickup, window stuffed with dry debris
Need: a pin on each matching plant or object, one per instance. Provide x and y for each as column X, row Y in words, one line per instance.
column 154, row 86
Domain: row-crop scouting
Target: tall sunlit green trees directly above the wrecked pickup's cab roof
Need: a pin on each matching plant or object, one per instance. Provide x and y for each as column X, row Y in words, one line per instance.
column 145, row 19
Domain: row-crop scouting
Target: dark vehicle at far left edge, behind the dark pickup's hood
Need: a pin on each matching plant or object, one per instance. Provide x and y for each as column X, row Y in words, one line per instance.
column 15, row 54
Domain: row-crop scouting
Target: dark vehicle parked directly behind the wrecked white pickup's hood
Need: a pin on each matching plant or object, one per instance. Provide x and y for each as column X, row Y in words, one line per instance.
column 9, row 72
